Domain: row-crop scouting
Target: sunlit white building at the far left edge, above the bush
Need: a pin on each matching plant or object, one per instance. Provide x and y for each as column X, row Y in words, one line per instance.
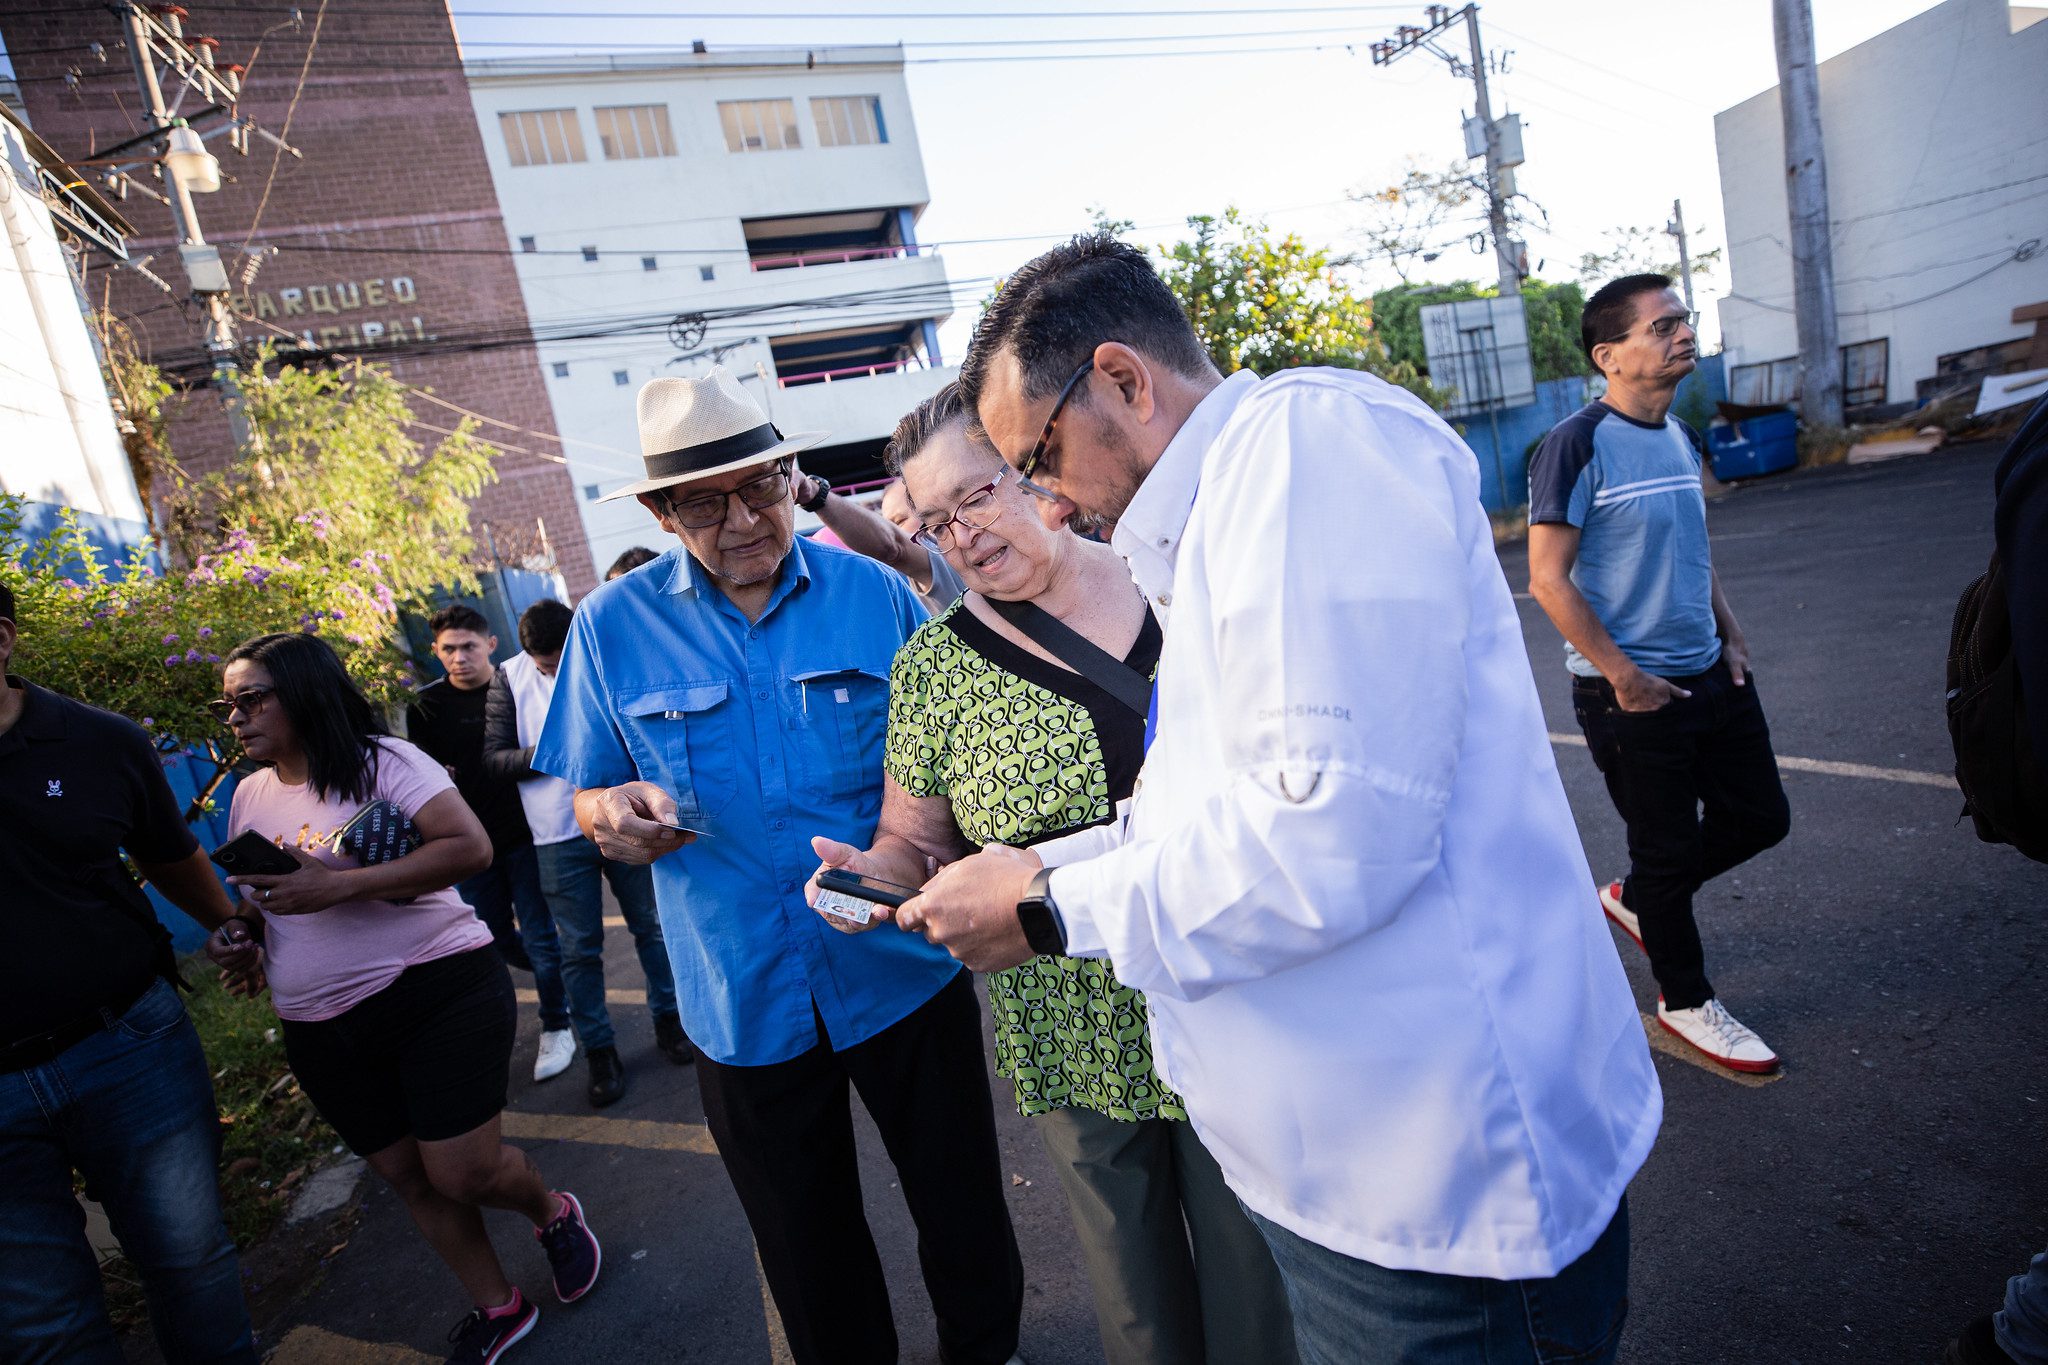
column 58, row 437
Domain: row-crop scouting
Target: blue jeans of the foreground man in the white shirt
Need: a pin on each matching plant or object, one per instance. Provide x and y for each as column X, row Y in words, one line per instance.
column 1355, row 1313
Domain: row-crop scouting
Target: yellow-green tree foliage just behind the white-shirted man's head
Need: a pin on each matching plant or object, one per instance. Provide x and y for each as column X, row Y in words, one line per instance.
column 1269, row 304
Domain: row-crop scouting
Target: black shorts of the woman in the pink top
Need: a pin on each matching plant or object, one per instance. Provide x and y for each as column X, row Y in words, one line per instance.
column 427, row 1057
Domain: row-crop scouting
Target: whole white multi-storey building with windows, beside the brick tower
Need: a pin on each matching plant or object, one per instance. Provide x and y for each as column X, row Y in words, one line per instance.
column 755, row 210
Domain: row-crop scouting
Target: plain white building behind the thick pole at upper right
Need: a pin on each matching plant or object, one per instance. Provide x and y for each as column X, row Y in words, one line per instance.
column 1938, row 193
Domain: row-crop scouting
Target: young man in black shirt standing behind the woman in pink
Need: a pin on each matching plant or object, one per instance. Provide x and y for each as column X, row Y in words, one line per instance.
column 447, row 721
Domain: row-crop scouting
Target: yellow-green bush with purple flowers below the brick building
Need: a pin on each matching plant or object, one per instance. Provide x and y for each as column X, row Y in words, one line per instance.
column 333, row 523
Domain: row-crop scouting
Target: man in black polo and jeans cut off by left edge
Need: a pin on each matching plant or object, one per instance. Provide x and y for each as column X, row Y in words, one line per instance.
column 99, row 1067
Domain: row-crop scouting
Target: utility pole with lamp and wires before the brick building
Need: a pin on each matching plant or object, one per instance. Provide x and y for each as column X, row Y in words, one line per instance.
column 159, row 38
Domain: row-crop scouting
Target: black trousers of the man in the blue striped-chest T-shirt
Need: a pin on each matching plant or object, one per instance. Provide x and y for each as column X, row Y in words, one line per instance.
column 1697, row 785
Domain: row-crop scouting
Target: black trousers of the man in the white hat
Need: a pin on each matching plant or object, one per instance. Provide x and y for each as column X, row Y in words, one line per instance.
column 787, row 1139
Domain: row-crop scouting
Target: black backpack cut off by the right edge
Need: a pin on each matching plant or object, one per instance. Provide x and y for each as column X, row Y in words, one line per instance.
column 2004, row 787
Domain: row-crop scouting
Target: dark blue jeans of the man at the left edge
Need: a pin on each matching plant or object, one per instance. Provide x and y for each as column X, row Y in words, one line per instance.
column 132, row 1108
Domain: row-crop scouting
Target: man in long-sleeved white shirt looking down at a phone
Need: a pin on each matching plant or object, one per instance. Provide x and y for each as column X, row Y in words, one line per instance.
column 1349, row 883
